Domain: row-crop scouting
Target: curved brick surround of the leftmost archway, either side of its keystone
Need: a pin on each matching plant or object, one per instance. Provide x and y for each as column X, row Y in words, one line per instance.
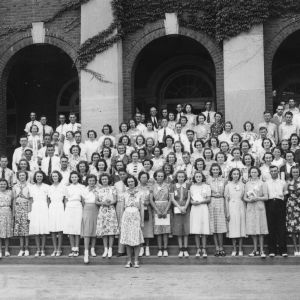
column 15, row 44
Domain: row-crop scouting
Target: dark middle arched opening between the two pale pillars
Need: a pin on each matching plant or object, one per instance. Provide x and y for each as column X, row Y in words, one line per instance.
column 174, row 69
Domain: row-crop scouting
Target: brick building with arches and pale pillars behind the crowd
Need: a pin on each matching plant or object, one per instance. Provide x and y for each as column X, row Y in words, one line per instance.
column 160, row 65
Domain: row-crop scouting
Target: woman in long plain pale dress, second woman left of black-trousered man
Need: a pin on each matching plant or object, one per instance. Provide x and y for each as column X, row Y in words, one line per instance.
column 236, row 210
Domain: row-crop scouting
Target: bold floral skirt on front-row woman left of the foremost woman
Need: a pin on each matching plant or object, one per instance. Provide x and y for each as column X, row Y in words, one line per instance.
column 107, row 222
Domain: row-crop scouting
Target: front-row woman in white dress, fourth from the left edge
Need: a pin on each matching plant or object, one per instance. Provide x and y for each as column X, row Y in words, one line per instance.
column 56, row 197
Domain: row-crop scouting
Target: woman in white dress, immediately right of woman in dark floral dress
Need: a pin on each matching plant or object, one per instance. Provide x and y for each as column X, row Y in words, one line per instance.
column 39, row 215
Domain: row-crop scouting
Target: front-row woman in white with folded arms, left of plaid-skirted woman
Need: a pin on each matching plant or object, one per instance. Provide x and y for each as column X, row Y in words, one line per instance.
column 199, row 217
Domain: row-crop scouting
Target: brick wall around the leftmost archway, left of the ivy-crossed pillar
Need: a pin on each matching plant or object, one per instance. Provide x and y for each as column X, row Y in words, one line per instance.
column 63, row 32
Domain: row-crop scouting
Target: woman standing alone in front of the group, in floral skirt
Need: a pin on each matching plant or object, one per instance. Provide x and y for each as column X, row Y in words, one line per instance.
column 132, row 221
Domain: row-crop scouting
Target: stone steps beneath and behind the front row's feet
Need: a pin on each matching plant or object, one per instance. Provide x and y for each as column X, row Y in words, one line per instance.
column 153, row 259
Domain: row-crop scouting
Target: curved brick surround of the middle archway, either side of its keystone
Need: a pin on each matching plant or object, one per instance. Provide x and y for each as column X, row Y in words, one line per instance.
column 136, row 42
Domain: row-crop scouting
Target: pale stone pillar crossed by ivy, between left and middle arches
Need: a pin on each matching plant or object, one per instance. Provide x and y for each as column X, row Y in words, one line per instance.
column 101, row 103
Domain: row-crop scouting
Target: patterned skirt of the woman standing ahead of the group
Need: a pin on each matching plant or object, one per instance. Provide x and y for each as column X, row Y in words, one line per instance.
column 131, row 232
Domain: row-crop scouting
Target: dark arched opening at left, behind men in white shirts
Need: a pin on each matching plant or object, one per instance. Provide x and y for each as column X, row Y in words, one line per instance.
column 42, row 78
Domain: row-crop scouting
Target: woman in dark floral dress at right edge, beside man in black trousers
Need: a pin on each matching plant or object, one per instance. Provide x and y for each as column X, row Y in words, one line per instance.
column 293, row 209
